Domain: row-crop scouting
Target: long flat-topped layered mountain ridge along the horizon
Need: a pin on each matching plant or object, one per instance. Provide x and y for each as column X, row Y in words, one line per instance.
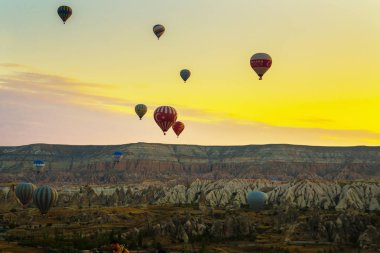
column 164, row 162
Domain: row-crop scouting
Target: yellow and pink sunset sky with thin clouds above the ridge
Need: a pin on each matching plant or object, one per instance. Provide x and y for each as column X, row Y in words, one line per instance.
column 78, row 83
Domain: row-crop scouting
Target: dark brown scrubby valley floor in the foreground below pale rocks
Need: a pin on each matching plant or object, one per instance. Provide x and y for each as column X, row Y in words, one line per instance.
column 178, row 229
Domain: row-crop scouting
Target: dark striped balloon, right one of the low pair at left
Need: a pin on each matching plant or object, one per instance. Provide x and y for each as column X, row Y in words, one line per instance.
column 44, row 198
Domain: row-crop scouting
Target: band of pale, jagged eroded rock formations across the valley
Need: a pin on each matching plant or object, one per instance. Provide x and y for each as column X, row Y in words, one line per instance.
column 230, row 194
